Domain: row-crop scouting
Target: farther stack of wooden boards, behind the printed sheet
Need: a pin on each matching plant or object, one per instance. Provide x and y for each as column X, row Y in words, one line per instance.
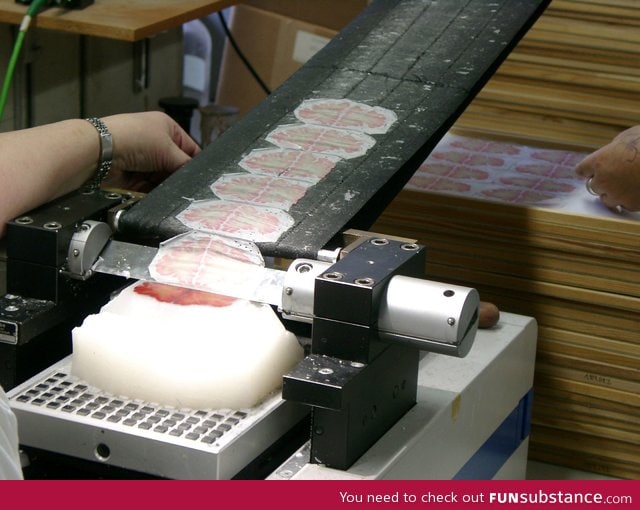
column 573, row 79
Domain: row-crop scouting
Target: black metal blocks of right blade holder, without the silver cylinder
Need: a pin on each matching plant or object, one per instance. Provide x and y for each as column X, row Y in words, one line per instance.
column 357, row 384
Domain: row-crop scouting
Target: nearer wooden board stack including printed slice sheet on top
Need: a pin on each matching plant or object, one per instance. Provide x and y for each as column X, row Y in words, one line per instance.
column 516, row 223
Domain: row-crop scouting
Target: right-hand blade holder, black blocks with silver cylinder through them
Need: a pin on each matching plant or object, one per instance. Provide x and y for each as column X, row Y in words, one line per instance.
column 371, row 315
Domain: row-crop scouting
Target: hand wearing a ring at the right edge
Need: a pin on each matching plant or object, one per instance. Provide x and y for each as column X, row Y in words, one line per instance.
column 613, row 171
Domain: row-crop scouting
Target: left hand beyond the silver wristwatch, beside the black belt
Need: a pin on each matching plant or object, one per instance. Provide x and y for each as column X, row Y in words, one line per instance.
column 147, row 147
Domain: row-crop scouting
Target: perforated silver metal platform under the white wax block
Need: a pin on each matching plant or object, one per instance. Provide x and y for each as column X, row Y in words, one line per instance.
column 61, row 414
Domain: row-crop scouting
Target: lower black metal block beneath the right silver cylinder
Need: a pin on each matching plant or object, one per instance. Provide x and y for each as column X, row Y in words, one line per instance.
column 353, row 403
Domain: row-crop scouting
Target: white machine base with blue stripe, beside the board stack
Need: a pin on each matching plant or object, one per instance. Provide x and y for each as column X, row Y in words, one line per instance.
column 471, row 420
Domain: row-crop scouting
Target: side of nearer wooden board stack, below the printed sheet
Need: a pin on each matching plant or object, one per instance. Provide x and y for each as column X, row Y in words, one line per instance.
column 578, row 277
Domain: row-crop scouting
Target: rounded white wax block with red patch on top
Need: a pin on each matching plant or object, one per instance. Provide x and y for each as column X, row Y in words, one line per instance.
column 184, row 348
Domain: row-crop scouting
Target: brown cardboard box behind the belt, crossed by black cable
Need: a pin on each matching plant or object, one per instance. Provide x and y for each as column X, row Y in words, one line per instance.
column 275, row 45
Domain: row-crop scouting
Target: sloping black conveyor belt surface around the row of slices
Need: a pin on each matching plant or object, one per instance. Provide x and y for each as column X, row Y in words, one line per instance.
column 423, row 59
